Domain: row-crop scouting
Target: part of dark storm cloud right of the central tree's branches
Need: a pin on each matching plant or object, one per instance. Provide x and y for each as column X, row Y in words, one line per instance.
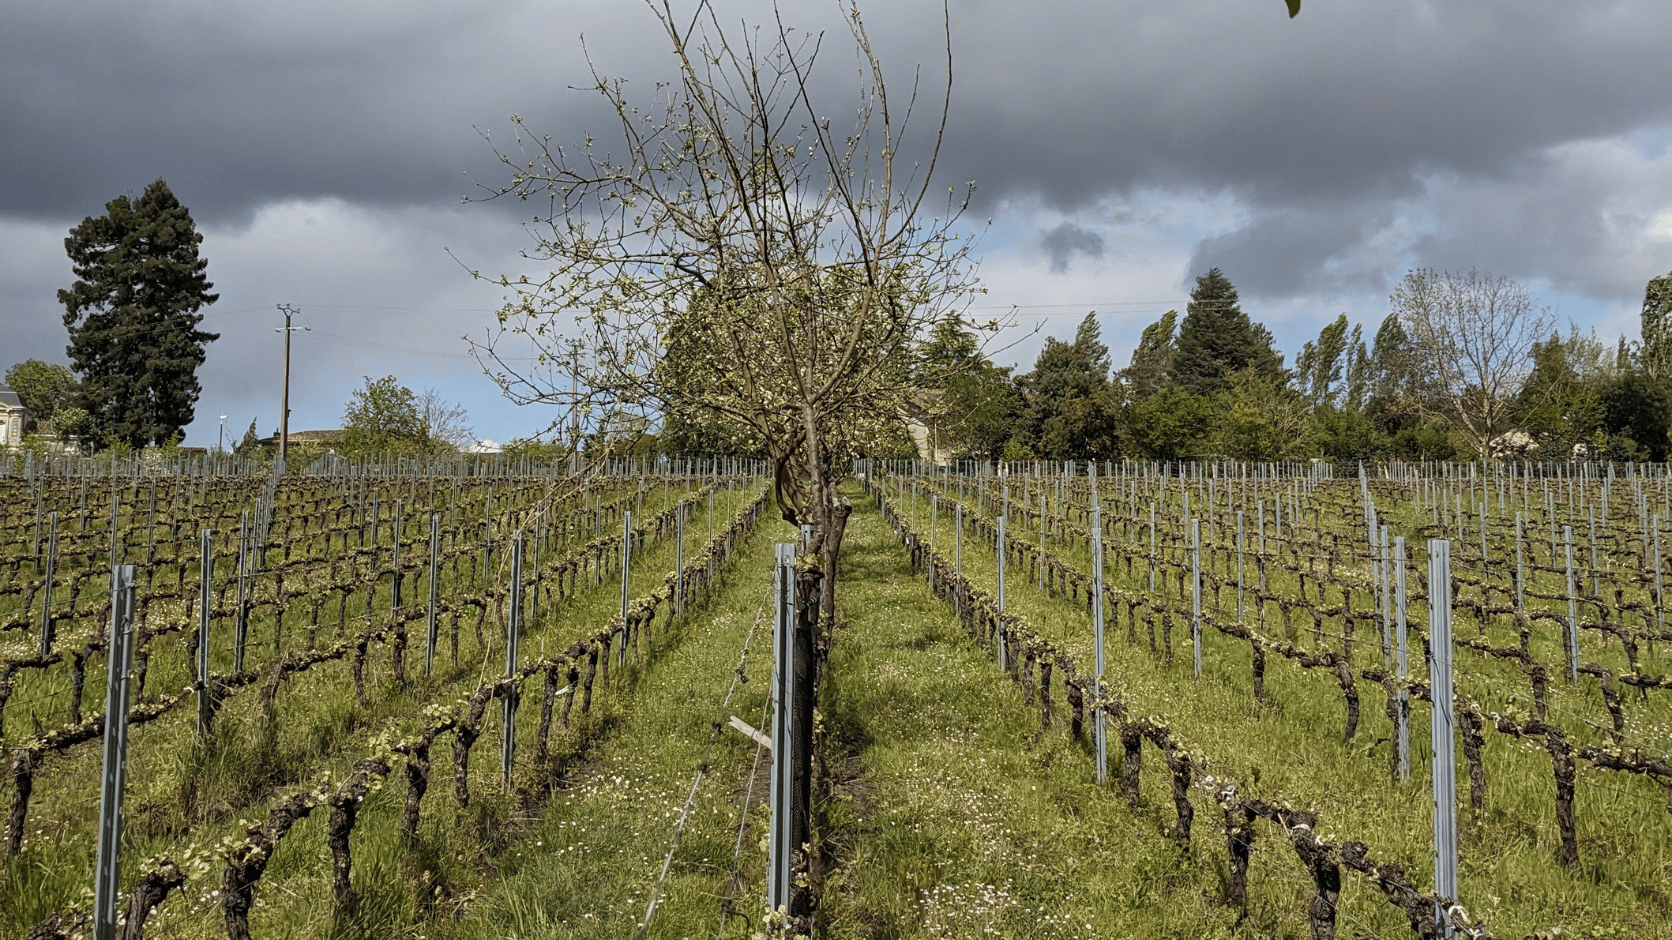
column 1352, row 100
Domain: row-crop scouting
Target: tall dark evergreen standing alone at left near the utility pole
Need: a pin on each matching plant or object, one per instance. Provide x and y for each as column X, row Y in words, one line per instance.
column 133, row 317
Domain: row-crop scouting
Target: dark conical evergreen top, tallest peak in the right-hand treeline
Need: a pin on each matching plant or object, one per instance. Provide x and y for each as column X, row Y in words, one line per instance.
column 1218, row 340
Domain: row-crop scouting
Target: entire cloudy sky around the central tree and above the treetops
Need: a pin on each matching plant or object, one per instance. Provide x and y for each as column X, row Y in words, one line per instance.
column 334, row 155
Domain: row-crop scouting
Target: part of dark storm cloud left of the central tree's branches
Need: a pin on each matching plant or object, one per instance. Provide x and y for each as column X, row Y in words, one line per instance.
column 245, row 105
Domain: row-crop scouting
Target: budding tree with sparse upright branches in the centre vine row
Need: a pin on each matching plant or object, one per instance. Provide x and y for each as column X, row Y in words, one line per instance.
column 735, row 253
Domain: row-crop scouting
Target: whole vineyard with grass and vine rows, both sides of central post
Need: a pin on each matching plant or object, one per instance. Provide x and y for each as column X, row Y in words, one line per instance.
column 1226, row 687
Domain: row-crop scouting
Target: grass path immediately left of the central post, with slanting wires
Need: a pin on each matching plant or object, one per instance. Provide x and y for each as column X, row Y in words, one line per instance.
column 589, row 864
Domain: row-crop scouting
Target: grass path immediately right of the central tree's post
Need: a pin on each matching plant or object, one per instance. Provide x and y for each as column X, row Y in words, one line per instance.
column 962, row 817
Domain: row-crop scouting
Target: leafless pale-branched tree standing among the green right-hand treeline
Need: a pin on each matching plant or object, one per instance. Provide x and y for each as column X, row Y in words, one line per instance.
column 1474, row 335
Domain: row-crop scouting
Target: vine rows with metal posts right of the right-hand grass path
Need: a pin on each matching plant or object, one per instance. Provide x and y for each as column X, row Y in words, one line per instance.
column 1257, row 645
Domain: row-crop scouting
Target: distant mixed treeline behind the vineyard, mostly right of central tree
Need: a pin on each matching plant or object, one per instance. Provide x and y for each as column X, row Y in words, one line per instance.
column 1466, row 365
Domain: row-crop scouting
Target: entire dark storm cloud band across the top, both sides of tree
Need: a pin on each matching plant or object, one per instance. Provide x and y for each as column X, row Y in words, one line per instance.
column 377, row 101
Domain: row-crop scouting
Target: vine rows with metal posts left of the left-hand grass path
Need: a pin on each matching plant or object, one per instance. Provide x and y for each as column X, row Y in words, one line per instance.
column 302, row 643
